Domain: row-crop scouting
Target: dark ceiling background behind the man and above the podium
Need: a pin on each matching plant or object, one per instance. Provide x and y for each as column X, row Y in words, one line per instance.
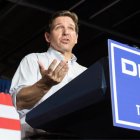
column 22, row 24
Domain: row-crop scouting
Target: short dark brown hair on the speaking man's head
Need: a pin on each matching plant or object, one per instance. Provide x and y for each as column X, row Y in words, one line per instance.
column 72, row 15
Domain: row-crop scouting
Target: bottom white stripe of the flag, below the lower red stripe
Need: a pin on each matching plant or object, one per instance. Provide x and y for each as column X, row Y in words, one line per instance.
column 10, row 134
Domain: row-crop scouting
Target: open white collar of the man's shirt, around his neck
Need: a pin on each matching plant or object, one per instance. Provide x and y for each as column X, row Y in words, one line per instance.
column 57, row 55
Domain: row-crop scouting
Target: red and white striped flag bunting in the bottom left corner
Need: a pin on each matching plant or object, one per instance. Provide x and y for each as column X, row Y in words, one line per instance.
column 9, row 119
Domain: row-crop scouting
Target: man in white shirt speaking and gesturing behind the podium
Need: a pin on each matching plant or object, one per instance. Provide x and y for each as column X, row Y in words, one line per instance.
column 40, row 75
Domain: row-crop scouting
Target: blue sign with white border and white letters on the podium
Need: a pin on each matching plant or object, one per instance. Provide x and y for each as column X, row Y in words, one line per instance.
column 124, row 66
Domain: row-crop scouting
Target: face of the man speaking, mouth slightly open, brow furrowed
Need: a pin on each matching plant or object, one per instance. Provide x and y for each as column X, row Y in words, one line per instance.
column 63, row 36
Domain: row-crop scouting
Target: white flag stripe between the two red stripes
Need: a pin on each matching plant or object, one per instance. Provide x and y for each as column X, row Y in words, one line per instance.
column 8, row 112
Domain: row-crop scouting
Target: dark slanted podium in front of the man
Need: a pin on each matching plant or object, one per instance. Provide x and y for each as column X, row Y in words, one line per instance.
column 82, row 108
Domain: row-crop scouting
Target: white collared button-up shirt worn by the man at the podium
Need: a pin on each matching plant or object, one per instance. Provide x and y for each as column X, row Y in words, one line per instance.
column 28, row 73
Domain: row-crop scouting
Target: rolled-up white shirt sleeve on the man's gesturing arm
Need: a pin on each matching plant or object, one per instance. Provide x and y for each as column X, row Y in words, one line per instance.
column 25, row 75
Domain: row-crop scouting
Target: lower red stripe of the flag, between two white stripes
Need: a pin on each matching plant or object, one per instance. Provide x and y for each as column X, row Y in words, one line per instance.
column 12, row 124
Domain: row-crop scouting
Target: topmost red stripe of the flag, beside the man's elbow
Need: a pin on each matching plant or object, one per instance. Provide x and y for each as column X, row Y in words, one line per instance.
column 5, row 99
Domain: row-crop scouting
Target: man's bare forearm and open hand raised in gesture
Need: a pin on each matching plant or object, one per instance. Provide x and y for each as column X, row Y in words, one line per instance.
column 29, row 96
